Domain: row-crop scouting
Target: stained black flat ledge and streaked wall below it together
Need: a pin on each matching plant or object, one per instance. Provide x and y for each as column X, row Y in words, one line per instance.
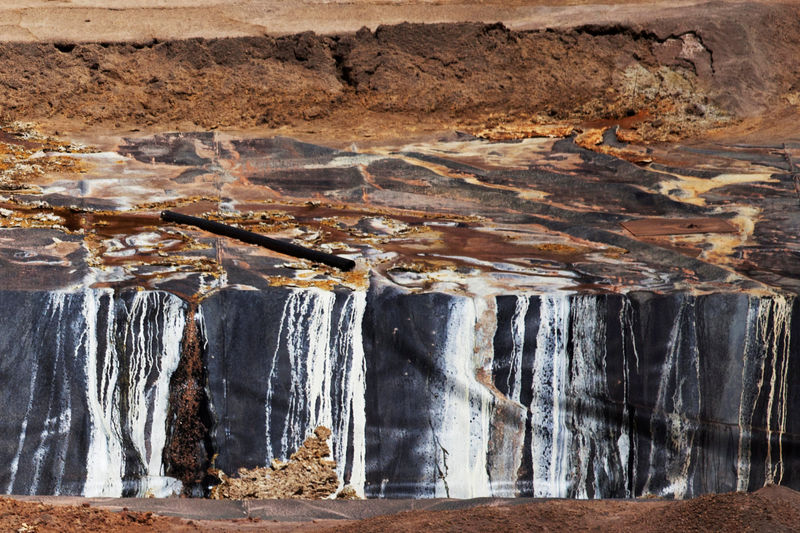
column 533, row 346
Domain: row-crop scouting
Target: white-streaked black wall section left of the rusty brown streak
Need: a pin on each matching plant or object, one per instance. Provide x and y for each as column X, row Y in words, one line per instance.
column 86, row 383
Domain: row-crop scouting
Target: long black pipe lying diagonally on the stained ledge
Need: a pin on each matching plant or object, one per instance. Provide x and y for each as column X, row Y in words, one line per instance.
column 275, row 245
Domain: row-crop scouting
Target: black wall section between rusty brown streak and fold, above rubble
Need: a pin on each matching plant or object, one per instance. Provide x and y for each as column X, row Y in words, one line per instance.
column 284, row 361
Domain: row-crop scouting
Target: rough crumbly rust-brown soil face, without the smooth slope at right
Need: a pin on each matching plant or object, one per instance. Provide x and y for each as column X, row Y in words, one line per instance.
column 432, row 75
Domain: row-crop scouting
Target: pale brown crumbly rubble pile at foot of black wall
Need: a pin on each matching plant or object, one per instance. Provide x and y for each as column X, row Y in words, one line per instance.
column 308, row 474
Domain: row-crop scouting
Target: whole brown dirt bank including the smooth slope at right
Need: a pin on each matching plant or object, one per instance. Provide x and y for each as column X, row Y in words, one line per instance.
column 682, row 73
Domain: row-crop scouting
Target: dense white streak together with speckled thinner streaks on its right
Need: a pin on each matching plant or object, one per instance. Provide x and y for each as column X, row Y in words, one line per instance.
column 570, row 434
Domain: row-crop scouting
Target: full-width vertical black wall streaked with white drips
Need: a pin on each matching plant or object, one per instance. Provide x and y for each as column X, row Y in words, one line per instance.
column 427, row 395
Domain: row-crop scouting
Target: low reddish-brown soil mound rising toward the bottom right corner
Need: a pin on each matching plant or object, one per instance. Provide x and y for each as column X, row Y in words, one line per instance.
column 770, row 509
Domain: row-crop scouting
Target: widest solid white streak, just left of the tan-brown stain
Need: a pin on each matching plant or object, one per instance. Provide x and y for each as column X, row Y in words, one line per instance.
column 461, row 419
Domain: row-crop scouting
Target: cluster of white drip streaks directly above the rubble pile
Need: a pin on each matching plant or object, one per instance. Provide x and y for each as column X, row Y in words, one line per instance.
column 322, row 350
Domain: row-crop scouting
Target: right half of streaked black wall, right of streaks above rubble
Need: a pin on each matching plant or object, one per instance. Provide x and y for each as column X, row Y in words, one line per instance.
column 588, row 396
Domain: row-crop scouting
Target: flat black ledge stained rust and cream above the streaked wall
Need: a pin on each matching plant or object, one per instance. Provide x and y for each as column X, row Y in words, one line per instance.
column 569, row 194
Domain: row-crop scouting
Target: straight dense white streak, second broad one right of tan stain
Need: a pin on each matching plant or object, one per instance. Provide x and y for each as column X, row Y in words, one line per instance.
column 549, row 438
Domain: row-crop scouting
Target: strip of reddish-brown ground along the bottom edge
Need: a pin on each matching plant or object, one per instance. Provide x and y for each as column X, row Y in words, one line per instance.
column 773, row 509
